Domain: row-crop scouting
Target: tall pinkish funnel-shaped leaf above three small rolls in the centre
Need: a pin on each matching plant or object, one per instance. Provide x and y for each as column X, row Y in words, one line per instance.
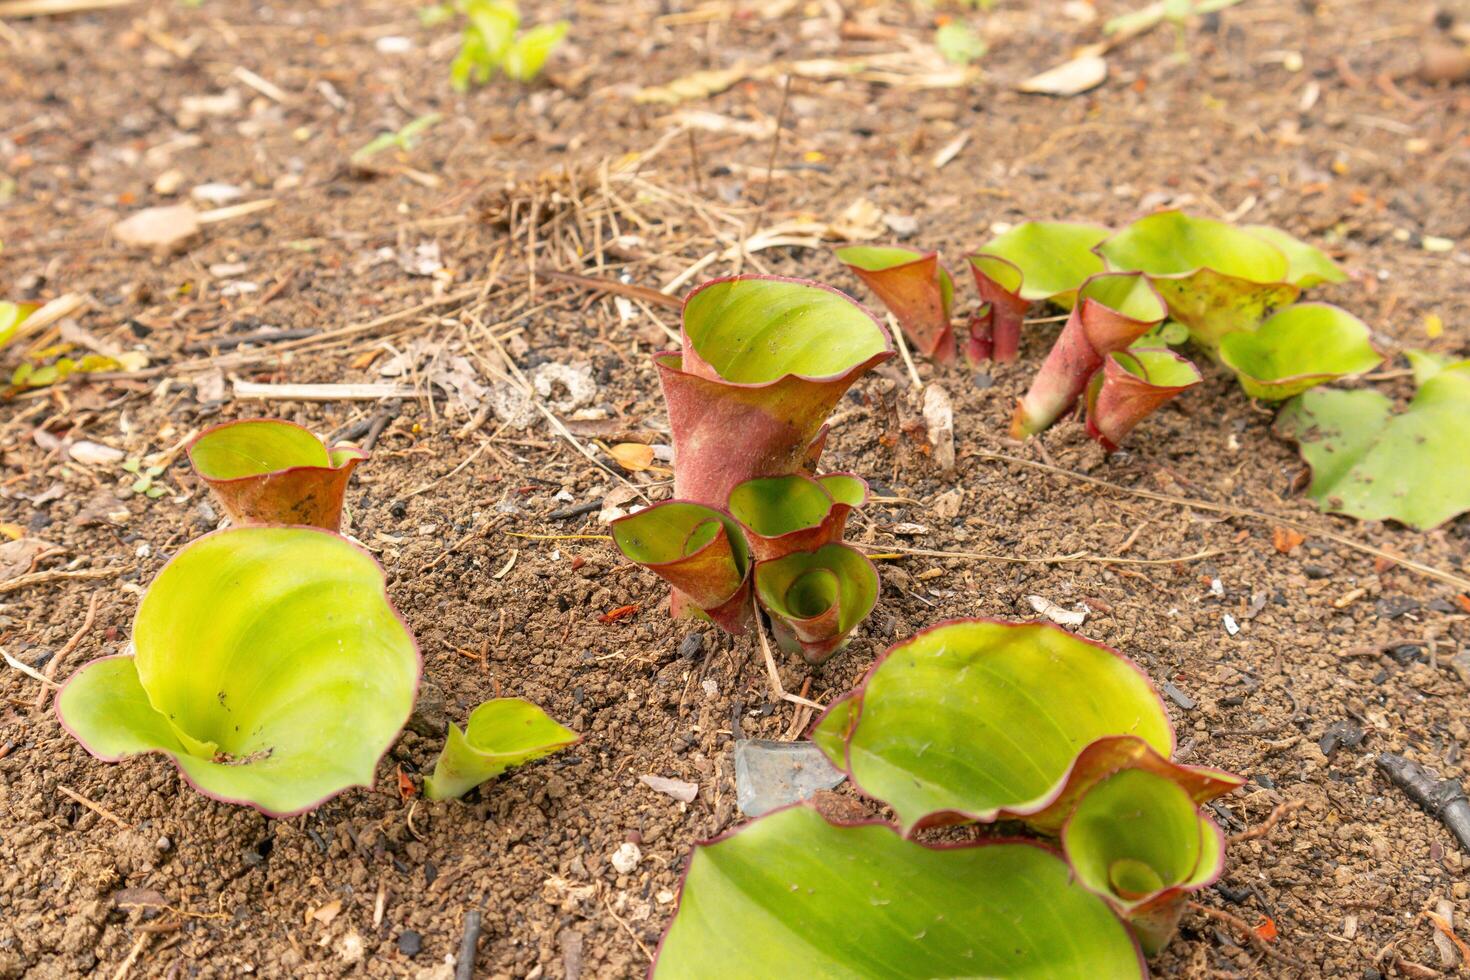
column 764, row 364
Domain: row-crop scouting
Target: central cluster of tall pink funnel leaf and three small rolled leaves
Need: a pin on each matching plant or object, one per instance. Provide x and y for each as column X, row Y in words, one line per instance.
column 761, row 367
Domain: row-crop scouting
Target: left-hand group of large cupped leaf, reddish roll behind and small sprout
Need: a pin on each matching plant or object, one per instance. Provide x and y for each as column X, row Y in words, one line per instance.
column 267, row 659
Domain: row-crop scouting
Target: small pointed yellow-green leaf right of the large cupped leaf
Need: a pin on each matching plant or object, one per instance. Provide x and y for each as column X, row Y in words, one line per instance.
column 502, row 734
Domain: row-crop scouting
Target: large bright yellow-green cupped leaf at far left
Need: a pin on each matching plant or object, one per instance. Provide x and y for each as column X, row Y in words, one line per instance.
column 270, row 666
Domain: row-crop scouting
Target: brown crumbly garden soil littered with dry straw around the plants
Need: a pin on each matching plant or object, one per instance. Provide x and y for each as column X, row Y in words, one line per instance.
column 1306, row 115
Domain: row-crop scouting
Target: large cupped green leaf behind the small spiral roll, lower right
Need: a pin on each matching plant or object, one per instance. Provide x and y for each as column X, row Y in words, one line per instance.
column 977, row 719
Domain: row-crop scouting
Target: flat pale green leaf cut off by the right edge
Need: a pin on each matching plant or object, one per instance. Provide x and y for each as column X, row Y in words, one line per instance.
column 1375, row 465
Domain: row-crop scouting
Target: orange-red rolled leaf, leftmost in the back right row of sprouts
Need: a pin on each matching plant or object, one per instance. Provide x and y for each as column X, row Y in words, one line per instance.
column 917, row 290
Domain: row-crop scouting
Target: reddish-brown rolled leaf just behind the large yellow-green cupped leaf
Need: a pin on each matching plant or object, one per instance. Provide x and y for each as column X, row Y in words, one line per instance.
column 274, row 472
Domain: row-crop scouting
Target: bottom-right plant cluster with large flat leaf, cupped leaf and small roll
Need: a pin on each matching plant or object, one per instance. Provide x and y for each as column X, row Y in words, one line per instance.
column 972, row 722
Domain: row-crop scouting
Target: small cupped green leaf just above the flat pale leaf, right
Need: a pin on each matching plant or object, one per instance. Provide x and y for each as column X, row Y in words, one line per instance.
column 1299, row 349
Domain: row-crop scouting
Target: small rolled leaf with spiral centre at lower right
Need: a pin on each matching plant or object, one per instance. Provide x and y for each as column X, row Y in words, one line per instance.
column 1141, row 843
